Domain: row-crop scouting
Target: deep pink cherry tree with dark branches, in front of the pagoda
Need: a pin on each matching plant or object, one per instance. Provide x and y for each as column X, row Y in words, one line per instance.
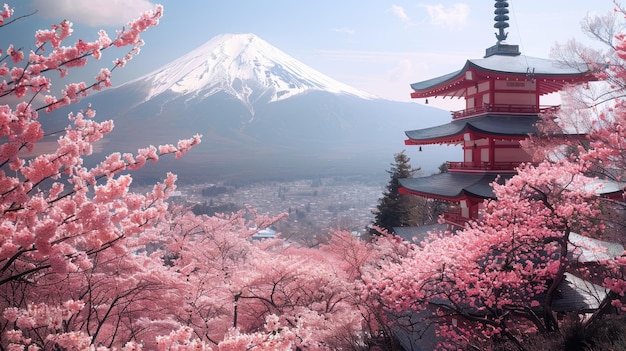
column 497, row 277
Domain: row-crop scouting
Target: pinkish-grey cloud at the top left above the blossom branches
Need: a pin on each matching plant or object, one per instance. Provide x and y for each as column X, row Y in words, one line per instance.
column 93, row 12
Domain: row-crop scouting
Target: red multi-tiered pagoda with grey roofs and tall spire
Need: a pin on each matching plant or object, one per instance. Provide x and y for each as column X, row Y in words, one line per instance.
column 502, row 93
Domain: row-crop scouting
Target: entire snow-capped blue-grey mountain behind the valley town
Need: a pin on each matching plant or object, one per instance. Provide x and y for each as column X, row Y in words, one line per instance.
column 262, row 114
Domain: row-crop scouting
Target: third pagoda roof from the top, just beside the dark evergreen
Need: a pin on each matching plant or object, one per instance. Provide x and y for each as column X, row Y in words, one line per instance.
column 453, row 186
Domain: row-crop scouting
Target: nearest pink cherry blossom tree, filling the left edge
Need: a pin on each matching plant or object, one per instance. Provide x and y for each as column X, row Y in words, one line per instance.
column 69, row 278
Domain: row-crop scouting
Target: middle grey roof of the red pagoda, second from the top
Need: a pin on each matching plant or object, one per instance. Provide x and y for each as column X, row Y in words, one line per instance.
column 488, row 124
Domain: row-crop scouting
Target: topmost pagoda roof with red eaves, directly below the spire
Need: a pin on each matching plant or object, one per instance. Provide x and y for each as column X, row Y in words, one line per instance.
column 552, row 75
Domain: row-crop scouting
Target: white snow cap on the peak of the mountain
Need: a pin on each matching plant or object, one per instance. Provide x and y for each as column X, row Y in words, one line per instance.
column 244, row 66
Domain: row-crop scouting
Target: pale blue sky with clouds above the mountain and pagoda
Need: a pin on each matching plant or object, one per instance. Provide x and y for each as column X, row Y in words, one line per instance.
column 378, row 46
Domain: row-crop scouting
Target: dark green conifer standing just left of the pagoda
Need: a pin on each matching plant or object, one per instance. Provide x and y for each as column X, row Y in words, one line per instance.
column 394, row 209
